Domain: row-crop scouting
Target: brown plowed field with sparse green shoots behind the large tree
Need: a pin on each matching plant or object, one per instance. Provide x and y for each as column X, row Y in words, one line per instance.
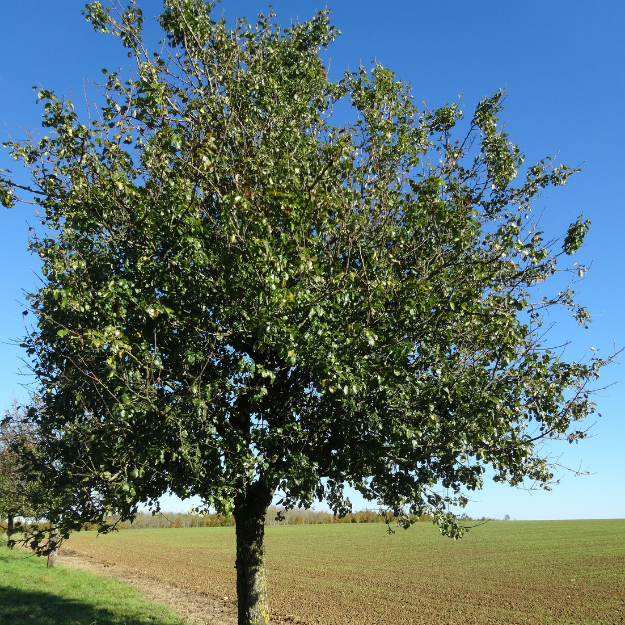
column 564, row 572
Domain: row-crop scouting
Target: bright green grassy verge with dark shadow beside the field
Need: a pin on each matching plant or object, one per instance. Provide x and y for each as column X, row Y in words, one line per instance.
column 31, row 593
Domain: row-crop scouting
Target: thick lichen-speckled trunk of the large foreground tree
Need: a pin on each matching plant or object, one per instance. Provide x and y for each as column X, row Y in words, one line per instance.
column 249, row 513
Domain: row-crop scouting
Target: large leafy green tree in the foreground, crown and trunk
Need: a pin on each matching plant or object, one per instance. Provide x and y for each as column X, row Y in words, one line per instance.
column 243, row 299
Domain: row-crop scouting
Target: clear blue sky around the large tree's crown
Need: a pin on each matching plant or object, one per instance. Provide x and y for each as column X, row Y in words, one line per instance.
column 563, row 66
